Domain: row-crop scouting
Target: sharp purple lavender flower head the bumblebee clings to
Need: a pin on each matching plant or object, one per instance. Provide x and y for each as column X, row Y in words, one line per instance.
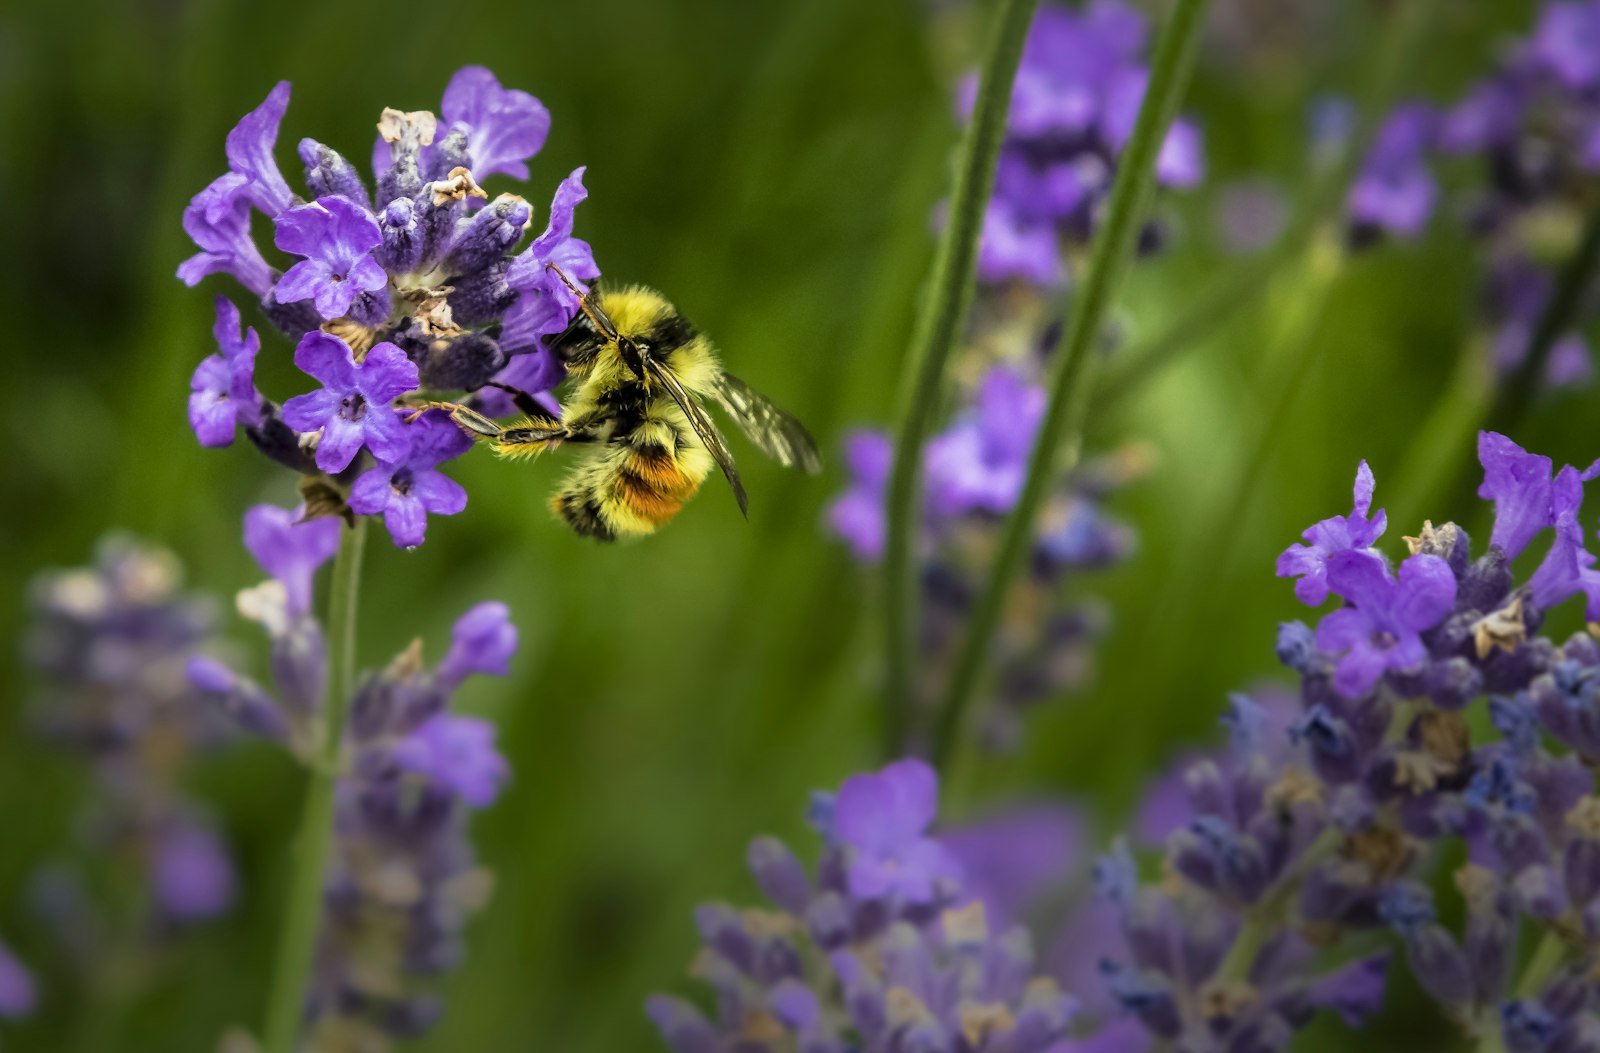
column 407, row 287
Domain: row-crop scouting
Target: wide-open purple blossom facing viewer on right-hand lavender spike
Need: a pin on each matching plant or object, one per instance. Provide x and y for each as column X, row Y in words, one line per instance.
column 1380, row 631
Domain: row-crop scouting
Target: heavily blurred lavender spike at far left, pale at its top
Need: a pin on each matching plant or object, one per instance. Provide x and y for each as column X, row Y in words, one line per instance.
column 110, row 644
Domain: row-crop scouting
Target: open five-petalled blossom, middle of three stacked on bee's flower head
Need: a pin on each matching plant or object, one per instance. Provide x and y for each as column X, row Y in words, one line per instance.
column 354, row 404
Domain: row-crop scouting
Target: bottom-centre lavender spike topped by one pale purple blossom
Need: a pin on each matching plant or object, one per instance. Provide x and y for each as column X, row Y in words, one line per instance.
column 881, row 950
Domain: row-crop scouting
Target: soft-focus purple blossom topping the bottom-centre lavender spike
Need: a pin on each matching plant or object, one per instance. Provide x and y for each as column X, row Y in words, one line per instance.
column 884, row 819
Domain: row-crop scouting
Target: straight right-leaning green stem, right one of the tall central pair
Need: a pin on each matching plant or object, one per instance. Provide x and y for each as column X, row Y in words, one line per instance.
column 1063, row 425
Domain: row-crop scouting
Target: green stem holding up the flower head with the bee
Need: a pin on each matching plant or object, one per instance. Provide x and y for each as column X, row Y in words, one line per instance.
column 298, row 940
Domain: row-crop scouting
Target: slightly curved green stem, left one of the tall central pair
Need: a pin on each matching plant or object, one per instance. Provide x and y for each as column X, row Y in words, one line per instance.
column 956, row 263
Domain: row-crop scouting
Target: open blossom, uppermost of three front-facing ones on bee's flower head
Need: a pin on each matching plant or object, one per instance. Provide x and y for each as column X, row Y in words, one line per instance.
column 337, row 238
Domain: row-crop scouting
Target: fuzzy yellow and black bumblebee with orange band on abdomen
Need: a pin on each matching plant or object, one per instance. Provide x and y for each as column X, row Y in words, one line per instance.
column 642, row 372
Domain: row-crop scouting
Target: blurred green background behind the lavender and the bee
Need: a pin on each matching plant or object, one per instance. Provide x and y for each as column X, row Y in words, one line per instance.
column 774, row 169
